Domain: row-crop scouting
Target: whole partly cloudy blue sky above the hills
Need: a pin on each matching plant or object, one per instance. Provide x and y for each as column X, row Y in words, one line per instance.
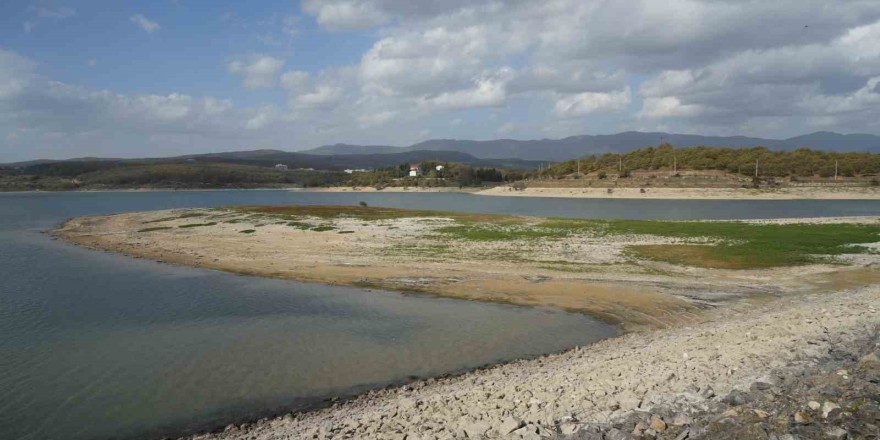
column 168, row 77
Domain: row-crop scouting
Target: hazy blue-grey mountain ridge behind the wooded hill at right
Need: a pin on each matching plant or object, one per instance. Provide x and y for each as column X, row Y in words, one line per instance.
column 585, row 145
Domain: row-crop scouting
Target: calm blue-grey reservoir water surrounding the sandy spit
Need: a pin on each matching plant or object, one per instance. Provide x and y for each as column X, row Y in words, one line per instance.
column 97, row 346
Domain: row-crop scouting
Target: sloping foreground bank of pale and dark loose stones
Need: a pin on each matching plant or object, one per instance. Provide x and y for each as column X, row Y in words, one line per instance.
column 800, row 367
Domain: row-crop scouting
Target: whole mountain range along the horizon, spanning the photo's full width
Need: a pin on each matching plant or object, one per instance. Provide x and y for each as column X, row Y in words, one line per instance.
column 500, row 153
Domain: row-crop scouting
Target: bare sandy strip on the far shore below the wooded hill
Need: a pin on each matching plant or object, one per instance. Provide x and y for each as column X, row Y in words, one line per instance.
column 841, row 193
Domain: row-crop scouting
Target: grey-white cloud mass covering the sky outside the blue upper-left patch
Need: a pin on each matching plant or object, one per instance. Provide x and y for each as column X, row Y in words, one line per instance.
column 566, row 66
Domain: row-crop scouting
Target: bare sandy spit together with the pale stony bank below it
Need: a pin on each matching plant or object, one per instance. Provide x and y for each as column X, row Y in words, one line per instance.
column 717, row 330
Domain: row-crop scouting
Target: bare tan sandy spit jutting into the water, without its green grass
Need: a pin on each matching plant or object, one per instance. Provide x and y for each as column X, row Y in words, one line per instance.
column 581, row 273
